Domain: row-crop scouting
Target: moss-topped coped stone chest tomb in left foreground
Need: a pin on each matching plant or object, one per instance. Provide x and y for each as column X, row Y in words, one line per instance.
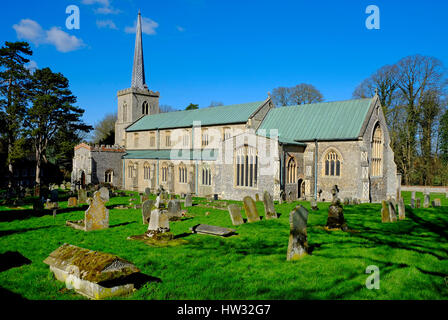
column 89, row 272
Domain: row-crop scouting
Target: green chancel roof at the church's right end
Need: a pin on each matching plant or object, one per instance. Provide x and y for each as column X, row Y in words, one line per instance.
column 337, row 120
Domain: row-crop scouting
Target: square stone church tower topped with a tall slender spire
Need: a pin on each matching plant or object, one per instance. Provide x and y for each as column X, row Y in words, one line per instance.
column 138, row 100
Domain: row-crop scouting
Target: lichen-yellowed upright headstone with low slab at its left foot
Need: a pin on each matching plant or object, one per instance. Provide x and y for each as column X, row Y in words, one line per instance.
column 96, row 217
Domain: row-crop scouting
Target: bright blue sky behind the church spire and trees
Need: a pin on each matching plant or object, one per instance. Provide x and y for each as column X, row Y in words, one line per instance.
column 229, row 51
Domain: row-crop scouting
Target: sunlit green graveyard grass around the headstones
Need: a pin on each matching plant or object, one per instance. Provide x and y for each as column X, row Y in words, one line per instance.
column 412, row 255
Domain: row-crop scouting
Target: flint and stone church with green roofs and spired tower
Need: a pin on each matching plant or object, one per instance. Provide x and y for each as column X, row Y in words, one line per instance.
column 243, row 149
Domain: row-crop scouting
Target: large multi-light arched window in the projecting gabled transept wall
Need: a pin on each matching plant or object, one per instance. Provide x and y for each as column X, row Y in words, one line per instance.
column 246, row 167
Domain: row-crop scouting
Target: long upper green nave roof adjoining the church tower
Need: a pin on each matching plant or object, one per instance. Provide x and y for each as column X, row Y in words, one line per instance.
column 236, row 113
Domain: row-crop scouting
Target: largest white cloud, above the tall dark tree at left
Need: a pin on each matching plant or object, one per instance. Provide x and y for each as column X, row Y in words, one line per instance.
column 30, row 30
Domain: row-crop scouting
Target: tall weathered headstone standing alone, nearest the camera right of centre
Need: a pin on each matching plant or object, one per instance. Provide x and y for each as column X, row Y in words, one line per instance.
column 298, row 242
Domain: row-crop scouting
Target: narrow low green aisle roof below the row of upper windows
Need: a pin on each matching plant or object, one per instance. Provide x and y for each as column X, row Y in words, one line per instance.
column 174, row 154
